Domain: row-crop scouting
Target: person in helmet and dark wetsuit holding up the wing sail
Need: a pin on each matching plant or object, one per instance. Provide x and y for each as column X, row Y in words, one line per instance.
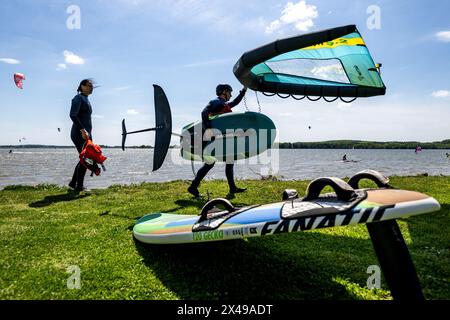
column 218, row 106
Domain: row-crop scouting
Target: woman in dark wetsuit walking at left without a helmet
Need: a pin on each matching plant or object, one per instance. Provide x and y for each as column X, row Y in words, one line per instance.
column 80, row 113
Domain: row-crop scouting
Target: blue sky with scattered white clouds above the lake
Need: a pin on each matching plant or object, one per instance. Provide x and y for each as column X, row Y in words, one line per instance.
column 189, row 46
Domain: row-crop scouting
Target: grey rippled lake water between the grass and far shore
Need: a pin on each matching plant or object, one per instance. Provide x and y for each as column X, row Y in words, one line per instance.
column 55, row 166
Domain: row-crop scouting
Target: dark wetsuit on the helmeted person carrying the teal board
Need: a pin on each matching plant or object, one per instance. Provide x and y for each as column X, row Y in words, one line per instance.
column 214, row 107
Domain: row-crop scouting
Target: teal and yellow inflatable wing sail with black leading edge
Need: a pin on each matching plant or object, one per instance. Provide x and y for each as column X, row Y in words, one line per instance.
column 328, row 63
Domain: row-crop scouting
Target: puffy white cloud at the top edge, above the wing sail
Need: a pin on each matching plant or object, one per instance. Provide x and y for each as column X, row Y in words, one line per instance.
column 299, row 14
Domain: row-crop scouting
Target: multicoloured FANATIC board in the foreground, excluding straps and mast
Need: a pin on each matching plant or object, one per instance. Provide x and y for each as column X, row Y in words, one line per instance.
column 280, row 217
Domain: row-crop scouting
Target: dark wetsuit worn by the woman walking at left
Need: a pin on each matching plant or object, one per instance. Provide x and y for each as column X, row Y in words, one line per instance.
column 80, row 113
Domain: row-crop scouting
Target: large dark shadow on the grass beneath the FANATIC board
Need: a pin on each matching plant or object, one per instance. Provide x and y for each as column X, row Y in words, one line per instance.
column 290, row 266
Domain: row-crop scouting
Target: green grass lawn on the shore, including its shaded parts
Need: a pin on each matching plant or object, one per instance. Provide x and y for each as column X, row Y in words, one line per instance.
column 46, row 229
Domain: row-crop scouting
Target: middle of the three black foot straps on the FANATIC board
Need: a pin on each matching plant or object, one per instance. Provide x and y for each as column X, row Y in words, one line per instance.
column 343, row 190
